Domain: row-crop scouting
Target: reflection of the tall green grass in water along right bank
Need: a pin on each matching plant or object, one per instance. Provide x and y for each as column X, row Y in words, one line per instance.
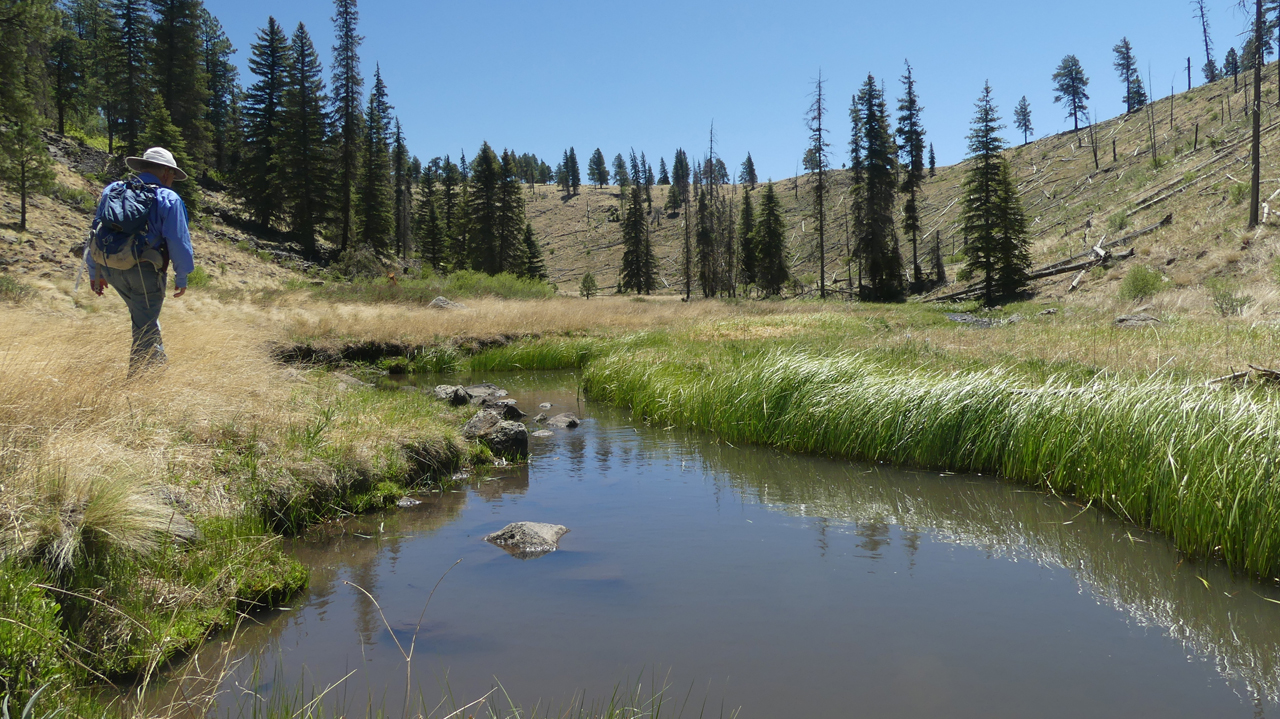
column 1231, row 620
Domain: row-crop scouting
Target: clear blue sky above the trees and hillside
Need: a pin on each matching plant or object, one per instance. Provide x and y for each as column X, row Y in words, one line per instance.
column 543, row 76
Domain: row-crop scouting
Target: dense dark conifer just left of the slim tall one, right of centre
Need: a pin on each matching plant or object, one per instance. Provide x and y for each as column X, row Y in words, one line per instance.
column 877, row 237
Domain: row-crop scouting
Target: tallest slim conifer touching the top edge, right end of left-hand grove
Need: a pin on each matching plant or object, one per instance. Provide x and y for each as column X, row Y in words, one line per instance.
column 348, row 93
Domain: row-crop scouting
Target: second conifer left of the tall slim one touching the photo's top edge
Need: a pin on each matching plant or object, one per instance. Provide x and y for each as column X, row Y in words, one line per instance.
column 262, row 177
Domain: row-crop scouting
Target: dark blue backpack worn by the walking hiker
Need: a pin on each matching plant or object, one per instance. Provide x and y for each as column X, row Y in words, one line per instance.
column 121, row 232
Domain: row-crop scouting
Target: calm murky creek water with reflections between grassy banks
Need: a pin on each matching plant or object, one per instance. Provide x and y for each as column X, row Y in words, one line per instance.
column 752, row 580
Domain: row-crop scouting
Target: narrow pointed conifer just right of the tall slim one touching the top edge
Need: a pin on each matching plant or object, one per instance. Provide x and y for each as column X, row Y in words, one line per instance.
column 377, row 212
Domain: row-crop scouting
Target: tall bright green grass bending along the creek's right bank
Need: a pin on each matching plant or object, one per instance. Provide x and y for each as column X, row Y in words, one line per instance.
column 1192, row 462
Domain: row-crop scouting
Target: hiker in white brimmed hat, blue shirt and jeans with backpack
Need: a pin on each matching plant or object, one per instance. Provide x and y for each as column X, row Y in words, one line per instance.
column 139, row 230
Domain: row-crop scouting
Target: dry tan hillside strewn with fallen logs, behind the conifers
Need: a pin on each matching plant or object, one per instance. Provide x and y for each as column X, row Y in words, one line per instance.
column 1200, row 178
